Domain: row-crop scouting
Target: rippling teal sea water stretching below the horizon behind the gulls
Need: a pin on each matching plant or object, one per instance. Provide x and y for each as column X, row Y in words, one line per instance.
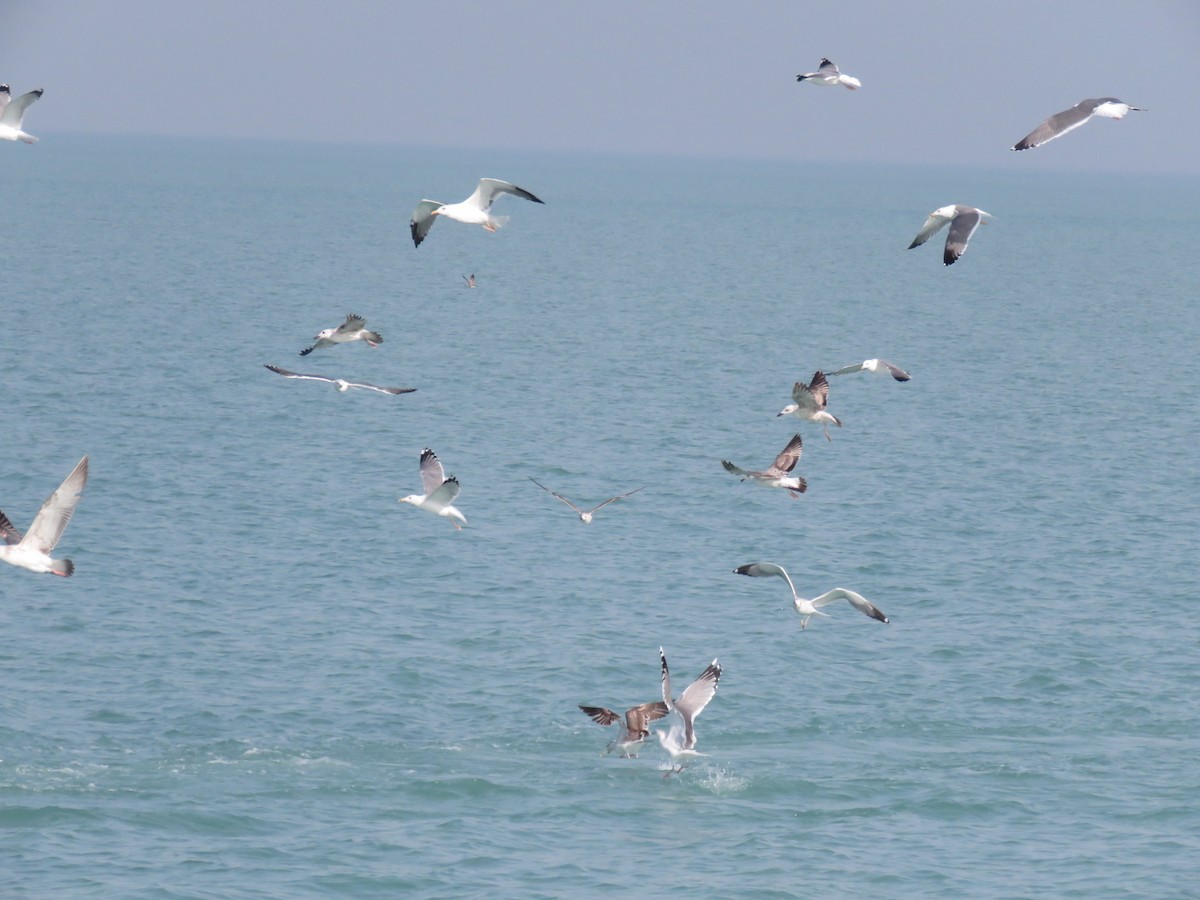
column 269, row 679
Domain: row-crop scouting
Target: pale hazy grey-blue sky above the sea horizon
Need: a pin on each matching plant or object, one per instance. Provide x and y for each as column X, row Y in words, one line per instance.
column 949, row 82
